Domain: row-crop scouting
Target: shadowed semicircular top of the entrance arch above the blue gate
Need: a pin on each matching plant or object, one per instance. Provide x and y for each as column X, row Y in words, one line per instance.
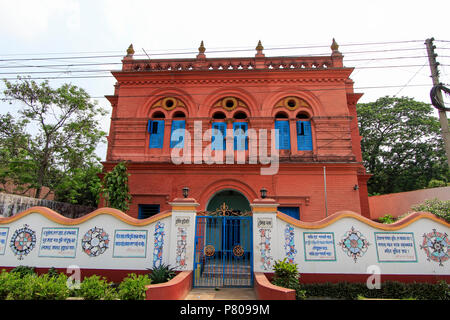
column 234, row 200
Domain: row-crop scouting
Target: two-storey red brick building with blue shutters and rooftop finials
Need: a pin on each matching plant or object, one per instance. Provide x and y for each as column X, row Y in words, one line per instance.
column 310, row 100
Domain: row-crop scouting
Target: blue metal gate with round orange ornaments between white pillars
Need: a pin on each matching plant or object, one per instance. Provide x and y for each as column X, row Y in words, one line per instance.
column 223, row 251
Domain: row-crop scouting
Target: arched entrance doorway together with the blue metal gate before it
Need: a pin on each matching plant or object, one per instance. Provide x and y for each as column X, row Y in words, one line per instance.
column 224, row 242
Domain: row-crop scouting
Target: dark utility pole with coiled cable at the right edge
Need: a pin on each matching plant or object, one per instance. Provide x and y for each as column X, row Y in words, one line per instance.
column 442, row 113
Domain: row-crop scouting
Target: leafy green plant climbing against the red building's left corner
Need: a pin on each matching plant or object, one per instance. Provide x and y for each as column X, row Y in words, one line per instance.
column 115, row 188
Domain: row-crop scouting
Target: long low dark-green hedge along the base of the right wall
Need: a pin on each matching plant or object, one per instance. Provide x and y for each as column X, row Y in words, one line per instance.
column 388, row 290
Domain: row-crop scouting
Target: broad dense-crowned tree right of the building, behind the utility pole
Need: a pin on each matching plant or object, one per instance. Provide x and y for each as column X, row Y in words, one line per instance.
column 401, row 145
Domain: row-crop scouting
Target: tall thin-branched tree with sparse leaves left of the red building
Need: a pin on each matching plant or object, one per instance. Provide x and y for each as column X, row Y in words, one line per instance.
column 55, row 135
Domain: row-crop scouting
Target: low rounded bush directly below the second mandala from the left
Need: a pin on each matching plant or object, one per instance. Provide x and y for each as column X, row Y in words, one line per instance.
column 96, row 288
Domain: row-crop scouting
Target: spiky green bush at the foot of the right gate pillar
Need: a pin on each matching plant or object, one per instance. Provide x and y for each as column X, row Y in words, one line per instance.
column 287, row 276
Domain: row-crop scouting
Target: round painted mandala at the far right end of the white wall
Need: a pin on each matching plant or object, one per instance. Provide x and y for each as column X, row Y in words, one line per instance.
column 436, row 246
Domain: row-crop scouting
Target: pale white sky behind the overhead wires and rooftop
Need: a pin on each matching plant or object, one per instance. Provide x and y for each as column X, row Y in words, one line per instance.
column 61, row 28
